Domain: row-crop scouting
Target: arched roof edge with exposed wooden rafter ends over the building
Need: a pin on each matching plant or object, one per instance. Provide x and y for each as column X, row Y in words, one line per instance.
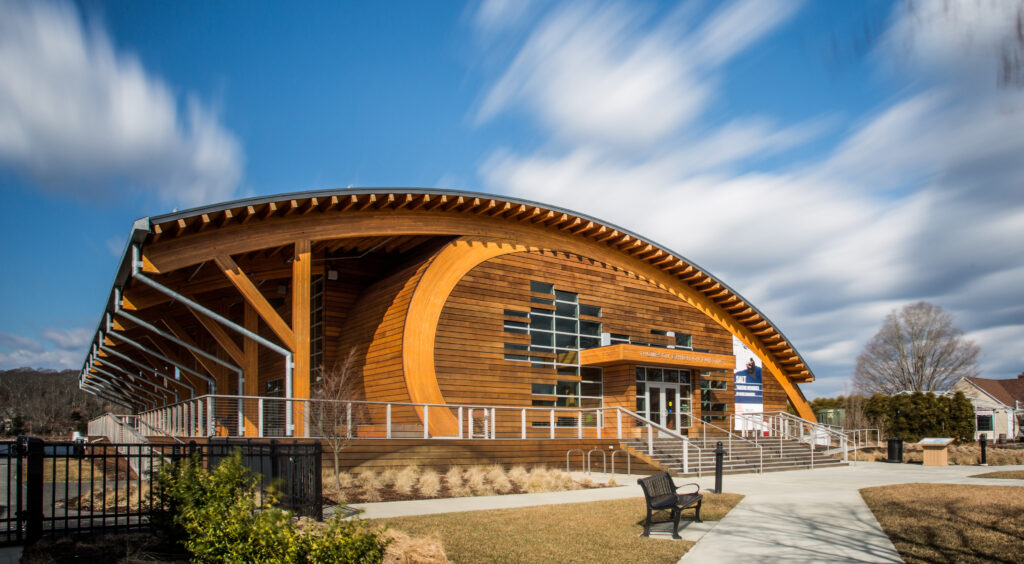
column 180, row 240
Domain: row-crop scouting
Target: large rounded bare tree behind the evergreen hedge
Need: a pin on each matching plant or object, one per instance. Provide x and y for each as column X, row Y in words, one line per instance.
column 917, row 350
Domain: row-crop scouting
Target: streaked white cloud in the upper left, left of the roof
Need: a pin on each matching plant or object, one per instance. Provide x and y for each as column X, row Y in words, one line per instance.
column 80, row 118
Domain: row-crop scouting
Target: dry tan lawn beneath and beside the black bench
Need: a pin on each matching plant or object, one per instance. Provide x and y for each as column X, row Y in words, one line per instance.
column 594, row 532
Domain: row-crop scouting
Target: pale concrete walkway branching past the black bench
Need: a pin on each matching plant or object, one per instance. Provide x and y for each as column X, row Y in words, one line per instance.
column 796, row 516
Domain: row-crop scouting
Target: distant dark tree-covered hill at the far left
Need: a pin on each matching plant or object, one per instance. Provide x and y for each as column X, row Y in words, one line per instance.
column 47, row 404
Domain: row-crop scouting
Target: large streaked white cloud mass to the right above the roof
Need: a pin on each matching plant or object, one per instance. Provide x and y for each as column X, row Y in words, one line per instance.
column 921, row 201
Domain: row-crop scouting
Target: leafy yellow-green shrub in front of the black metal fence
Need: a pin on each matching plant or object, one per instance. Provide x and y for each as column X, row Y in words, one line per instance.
column 217, row 517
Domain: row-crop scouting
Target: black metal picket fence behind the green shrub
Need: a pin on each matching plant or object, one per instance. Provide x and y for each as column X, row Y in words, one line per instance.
column 68, row 489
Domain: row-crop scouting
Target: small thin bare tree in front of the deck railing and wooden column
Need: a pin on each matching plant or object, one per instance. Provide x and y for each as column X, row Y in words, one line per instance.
column 336, row 417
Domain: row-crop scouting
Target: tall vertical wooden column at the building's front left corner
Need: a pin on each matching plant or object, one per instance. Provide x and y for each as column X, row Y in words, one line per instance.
column 302, row 280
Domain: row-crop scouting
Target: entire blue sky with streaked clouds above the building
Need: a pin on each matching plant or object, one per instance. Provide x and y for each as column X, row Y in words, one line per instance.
column 832, row 161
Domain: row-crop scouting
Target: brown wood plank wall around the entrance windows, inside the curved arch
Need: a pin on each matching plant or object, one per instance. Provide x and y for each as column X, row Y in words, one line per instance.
column 470, row 349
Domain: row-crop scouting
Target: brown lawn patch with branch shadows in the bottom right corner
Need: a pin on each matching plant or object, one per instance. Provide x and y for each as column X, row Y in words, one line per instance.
column 952, row 524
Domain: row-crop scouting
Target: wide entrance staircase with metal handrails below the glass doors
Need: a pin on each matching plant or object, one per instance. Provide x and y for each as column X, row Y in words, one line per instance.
column 743, row 458
